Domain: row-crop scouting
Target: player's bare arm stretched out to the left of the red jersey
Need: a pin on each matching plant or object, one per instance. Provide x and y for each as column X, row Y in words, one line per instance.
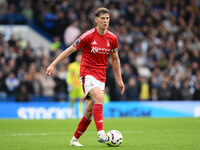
column 62, row 56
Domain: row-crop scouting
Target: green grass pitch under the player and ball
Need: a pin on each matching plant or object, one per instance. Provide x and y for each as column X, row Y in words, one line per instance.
column 138, row 134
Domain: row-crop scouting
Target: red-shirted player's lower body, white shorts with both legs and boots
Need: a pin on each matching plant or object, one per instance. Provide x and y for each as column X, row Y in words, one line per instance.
column 94, row 106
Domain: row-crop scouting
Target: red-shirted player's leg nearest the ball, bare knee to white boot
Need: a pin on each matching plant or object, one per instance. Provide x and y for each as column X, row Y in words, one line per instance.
column 98, row 97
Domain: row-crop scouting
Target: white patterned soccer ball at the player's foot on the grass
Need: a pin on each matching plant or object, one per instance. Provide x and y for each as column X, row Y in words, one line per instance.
column 114, row 138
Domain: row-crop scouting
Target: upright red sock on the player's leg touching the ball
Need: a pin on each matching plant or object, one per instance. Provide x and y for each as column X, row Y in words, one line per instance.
column 98, row 116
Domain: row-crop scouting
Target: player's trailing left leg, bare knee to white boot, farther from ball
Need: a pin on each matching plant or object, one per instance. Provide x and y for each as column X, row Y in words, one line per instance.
column 84, row 123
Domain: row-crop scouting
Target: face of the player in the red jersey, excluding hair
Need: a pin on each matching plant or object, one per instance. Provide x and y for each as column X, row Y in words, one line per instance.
column 103, row 21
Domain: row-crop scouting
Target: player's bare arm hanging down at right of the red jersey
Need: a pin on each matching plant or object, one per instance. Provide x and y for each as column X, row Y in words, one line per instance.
column 116, row 67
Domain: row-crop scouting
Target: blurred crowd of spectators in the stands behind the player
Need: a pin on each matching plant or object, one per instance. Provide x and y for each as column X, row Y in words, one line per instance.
column 159, row 48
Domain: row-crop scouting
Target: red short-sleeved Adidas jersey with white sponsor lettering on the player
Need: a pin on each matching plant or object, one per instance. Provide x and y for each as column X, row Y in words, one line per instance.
column 95, row 51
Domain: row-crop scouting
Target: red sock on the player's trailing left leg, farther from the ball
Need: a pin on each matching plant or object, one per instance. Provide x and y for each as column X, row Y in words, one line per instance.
column 82, row 126
